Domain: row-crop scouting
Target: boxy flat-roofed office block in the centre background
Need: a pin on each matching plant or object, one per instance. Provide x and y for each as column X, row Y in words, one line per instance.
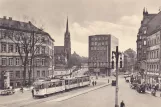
column 100, row 53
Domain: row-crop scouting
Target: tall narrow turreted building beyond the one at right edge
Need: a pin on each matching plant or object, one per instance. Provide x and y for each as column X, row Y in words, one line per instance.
column 142, row 39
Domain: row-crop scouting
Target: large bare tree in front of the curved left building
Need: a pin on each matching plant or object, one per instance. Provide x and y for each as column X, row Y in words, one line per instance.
column 25, row 44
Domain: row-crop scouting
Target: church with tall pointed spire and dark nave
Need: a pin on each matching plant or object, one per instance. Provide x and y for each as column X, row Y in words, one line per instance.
column 63, row 53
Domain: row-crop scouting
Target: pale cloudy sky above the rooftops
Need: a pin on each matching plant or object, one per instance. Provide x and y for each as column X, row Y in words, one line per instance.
column 120, row 18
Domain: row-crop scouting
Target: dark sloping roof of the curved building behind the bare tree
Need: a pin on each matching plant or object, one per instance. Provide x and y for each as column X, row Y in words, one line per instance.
column 21, row 26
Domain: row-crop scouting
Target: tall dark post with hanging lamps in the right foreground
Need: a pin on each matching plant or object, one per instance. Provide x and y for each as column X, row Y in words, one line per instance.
column 116, row 53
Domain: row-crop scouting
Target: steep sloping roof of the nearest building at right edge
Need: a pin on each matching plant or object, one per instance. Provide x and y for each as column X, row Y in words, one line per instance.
column 154, row 24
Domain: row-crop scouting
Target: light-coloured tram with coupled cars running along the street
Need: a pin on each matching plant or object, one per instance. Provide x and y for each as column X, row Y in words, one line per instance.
column 47, row 87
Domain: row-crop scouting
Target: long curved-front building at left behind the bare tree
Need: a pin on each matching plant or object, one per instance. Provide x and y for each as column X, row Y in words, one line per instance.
column 15, row 42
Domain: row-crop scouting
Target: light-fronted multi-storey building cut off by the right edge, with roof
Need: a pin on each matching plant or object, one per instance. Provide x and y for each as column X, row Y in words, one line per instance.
column 154, row 50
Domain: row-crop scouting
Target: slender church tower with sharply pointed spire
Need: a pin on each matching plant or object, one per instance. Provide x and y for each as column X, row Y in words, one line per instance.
column 67, row 42
